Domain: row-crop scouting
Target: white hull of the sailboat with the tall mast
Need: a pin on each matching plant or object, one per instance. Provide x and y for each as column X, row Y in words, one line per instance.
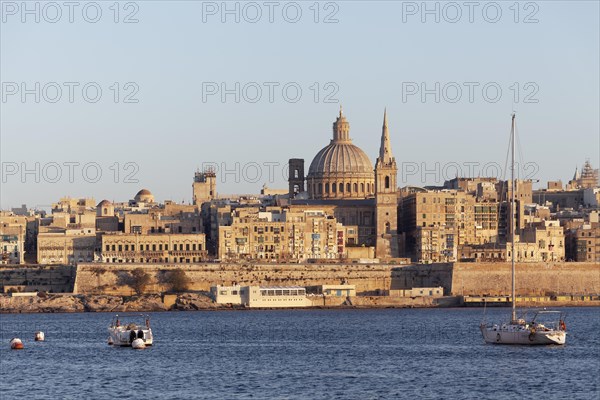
column 517, row 335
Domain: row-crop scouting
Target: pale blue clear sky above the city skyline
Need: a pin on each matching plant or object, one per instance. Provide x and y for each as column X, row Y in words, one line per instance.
column 101, row 99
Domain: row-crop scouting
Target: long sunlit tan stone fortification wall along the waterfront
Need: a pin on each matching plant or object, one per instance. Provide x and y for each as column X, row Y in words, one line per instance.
column 456, row 279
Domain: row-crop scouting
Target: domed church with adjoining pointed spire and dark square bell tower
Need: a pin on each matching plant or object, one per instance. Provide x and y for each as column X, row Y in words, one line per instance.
column 342, row 176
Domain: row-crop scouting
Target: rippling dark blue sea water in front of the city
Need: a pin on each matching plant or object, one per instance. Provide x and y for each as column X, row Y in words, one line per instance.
column 297, row 354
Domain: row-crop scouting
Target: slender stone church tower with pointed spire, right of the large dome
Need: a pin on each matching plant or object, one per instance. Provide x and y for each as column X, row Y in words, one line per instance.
column 386, row 198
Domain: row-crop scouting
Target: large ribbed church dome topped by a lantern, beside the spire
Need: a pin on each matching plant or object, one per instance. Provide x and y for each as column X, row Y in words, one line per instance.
column 341, row 169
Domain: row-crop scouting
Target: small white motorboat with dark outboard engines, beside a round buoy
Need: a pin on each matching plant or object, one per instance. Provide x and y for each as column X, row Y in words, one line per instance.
column 130, row 334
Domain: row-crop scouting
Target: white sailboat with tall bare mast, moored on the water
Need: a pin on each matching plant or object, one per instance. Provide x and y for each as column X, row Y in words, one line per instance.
column 540, row 330
